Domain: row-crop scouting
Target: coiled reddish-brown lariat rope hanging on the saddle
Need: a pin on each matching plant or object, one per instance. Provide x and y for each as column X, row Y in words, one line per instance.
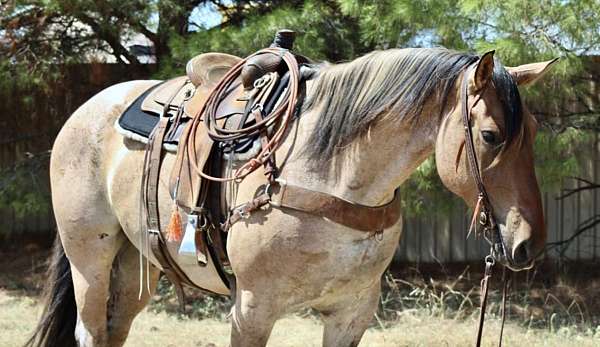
column 282, row 115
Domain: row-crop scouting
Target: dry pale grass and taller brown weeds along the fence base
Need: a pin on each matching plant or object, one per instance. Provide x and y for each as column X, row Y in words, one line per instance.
column 432, row 310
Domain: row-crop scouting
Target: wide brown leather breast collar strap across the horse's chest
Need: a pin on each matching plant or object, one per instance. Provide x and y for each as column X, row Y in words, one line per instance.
column 352, row 215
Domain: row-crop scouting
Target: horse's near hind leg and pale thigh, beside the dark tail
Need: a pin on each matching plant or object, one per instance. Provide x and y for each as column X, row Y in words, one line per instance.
column 90, row 233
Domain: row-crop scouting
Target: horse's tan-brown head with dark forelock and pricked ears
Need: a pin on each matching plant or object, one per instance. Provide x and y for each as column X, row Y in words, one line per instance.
column 503, row 134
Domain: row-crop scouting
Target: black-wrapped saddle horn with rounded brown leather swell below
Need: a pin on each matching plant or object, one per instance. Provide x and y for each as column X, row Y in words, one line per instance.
column 264, row 63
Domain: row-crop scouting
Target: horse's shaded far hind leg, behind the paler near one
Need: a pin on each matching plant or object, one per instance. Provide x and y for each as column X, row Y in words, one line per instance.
column 124, row 304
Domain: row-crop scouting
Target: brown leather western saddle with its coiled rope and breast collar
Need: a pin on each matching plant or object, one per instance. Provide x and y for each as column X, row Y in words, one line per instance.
column 227, row 105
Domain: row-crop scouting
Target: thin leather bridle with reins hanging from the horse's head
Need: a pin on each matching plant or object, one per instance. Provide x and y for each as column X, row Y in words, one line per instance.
column 483, row 211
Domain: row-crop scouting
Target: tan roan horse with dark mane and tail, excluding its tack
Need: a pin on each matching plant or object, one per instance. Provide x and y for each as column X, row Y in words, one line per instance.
column 362, row 129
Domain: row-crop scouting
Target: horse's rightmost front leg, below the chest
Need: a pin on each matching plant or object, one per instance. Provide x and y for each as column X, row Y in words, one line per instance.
column 347, row 320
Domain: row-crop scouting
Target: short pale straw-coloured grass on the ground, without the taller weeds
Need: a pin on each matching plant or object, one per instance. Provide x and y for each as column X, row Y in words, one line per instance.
column 18, row 315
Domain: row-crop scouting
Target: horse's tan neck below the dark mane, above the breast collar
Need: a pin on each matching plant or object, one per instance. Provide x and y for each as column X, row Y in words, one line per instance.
column 368, row 170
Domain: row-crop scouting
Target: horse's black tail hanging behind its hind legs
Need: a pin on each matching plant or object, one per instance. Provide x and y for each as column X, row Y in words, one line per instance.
column 57, row 324
